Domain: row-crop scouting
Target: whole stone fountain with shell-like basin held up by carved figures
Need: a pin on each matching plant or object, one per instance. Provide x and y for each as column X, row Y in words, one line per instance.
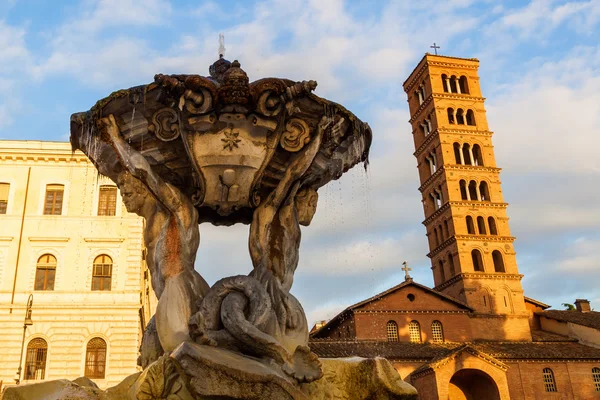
column 188, row 149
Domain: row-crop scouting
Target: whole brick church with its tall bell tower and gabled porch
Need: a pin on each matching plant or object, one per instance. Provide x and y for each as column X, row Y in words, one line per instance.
column 475, row 335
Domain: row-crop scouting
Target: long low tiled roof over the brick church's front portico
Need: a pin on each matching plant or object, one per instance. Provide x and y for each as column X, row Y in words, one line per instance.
column 404, row 351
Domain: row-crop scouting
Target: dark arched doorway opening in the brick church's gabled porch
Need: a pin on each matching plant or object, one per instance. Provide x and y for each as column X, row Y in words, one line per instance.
column 472, row 384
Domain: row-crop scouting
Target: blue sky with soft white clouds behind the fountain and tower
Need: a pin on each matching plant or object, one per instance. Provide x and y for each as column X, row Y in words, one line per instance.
column 539, row 71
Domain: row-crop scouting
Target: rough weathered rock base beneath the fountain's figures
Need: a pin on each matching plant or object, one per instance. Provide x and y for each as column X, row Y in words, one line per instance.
column 197, row 372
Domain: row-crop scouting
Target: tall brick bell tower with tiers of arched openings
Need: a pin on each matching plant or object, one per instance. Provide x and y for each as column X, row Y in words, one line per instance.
column 471, row 248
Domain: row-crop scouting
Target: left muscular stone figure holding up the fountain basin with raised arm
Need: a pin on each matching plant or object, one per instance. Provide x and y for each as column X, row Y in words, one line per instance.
column 171, row 235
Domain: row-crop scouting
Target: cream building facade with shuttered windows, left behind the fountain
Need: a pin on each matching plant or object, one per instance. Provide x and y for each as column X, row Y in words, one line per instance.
column 66, row 238
